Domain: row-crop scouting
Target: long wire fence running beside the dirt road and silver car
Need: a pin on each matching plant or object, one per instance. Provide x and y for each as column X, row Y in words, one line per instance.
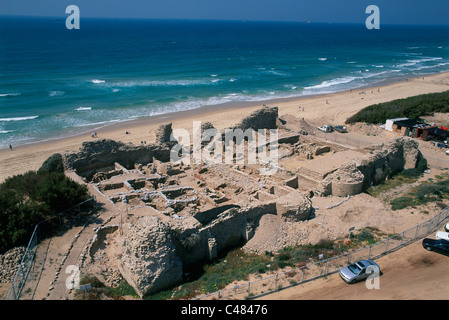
column 328, row 266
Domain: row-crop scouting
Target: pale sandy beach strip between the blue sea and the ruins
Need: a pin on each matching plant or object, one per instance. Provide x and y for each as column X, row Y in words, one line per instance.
column 331, row 109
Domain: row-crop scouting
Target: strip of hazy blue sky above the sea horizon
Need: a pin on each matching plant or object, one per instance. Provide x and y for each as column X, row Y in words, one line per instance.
column 348, row 11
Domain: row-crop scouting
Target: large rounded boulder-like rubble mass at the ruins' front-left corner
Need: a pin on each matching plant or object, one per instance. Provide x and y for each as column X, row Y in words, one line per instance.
column 149, row 260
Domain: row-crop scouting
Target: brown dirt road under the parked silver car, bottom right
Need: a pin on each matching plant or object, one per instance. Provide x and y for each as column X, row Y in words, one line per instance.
column 407, row 274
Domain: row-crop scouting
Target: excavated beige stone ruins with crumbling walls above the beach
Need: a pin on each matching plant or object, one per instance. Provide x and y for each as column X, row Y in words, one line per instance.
column 178, row 215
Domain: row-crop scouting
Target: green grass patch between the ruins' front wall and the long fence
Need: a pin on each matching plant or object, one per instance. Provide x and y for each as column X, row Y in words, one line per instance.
column 238, row 265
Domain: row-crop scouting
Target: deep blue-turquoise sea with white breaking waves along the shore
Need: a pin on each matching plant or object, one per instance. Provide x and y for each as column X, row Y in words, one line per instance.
column 56, row 82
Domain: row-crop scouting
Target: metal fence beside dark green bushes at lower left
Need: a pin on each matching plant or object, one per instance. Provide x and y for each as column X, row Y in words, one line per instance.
column 42, row 229
